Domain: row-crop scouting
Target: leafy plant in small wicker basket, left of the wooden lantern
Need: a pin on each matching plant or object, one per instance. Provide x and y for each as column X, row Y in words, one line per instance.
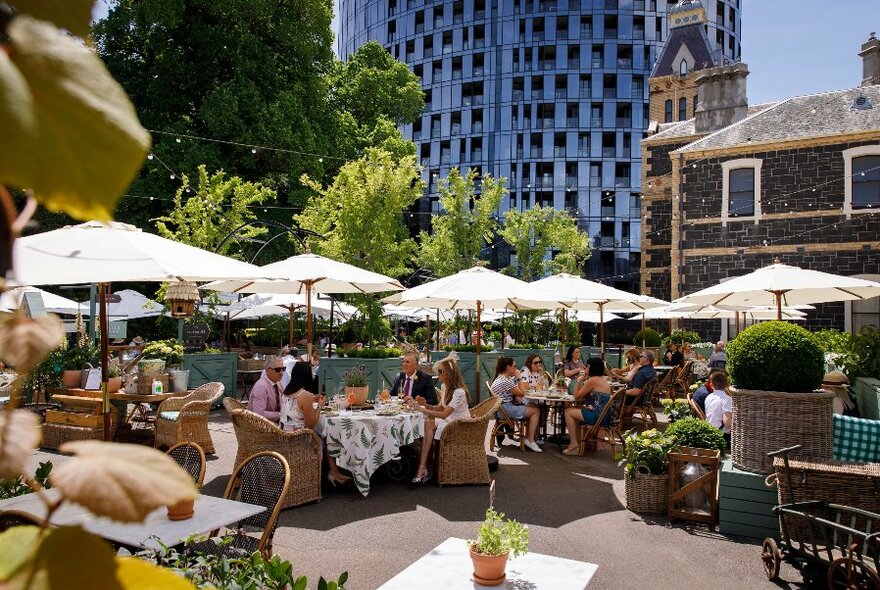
column 647, row 480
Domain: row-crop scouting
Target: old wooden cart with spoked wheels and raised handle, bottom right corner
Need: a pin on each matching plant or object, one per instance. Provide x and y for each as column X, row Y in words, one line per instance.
column 821, row 533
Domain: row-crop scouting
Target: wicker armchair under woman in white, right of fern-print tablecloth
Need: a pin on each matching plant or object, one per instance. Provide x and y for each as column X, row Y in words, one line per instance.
column 462, row 455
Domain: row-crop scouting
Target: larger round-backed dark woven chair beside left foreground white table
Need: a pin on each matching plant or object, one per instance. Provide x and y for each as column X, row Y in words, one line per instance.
column 262, row 479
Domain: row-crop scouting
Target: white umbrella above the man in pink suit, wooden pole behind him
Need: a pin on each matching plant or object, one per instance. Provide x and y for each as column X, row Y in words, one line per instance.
column 310, row 273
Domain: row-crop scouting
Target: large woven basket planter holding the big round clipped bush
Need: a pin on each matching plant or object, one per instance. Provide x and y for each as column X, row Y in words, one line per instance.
column 766, row 421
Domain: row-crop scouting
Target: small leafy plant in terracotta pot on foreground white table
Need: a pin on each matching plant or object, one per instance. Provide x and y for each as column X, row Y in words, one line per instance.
column 496, row 538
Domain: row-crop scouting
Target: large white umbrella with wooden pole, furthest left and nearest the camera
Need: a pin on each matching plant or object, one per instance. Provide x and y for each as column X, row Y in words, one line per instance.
column 97, row 252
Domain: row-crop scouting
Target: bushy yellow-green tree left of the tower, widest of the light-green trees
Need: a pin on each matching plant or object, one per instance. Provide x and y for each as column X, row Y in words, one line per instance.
column 360, row 214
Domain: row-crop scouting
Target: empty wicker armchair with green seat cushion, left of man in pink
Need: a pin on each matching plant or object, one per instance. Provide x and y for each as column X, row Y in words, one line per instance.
column 185, row 419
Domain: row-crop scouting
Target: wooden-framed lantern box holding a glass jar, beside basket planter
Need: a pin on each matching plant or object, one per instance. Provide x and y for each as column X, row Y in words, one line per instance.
column 679, row 506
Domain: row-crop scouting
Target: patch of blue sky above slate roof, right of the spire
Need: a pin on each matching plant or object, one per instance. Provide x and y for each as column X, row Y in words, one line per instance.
column 796, row 47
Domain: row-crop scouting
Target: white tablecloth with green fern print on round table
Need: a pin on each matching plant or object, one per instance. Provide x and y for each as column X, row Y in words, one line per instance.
column 364, row 441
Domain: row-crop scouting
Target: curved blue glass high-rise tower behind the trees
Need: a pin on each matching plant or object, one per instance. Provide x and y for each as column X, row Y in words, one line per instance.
column 552, row 94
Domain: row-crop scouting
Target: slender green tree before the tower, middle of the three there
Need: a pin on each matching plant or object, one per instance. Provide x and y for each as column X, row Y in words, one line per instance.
column 466, row 225
